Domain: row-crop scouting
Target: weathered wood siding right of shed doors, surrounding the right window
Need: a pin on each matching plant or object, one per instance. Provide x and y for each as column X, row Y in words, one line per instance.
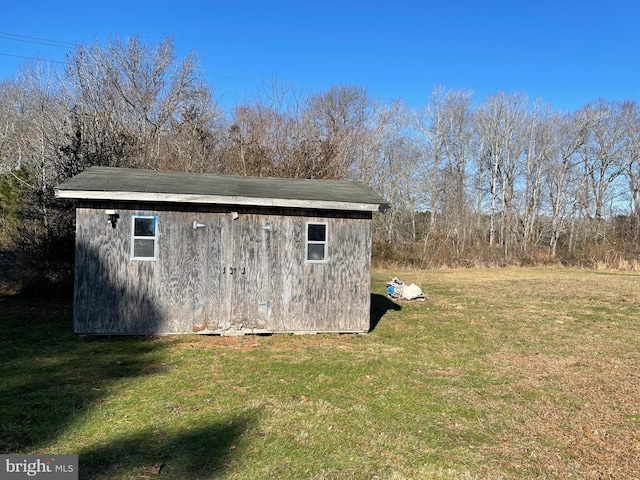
column 322, row 297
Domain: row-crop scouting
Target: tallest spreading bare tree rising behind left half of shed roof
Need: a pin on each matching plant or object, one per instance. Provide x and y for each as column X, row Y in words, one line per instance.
column 136, row 93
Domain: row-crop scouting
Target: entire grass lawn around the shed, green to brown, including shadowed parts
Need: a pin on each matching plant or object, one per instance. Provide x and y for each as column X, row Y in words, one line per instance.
column 501, row 373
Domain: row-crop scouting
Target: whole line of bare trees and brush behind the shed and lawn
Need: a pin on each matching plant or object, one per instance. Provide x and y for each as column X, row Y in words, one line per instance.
column 496, row 181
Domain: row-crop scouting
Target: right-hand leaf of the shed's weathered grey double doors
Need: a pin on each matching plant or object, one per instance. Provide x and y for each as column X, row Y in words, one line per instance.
column 248, row 273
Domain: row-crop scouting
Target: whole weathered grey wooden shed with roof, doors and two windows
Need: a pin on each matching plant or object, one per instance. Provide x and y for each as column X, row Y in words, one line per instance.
column 166, row 252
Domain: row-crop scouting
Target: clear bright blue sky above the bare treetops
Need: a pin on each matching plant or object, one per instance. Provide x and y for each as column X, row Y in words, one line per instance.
column 568, row 53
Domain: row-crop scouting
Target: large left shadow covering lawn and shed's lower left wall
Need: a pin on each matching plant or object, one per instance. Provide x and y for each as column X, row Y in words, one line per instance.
column 50, row 377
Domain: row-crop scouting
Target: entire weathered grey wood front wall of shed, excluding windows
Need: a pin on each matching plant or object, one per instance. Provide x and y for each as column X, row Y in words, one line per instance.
column 233, row 274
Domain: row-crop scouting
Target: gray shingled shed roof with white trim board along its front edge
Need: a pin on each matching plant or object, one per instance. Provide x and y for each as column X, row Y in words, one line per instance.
column 108, row 183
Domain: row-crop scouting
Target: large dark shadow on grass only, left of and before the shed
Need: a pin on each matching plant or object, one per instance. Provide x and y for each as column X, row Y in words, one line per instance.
column 51, row 378
